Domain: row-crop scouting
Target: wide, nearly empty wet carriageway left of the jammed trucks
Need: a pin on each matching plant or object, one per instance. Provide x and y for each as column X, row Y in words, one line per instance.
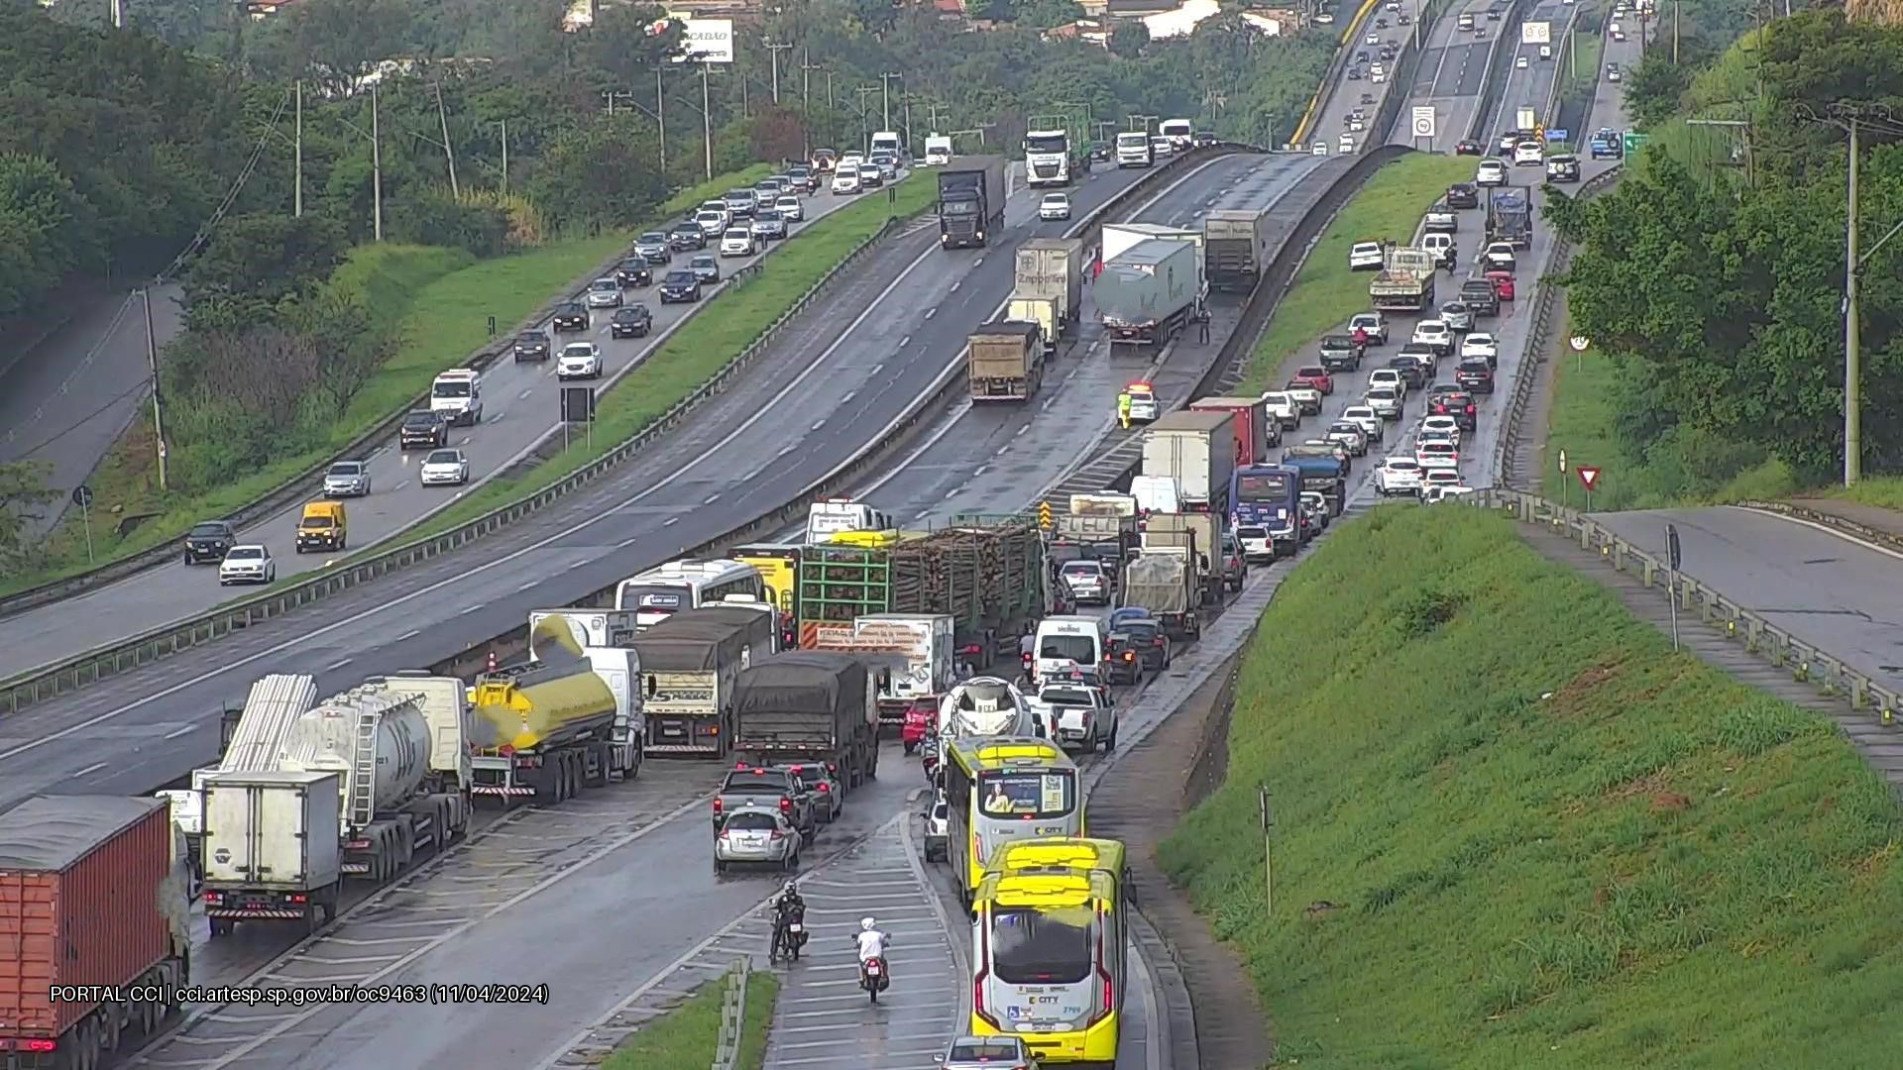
column 848, row 372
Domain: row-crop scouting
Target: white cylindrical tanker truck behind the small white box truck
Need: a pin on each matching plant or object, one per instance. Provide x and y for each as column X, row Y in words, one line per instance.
column 378, row 740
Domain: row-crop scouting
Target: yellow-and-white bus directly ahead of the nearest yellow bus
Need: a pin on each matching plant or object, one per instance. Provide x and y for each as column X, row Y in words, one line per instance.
column 1006, row 789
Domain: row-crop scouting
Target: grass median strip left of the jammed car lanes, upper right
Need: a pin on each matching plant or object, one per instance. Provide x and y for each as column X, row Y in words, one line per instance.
column 1325, row 292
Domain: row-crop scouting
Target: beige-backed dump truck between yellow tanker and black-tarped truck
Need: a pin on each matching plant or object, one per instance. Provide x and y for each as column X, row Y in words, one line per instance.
column 688, row 669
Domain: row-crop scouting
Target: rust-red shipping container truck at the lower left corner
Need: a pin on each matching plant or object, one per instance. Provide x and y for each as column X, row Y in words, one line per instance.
column 83, row 902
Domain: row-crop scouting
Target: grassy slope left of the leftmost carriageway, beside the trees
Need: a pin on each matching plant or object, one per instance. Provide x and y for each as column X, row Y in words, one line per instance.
column 439, row 302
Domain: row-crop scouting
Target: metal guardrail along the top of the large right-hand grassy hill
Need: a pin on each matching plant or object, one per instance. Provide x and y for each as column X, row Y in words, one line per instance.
column 1712, row 606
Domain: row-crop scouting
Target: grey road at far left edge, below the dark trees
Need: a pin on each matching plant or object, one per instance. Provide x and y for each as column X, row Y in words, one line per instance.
column 66, row 401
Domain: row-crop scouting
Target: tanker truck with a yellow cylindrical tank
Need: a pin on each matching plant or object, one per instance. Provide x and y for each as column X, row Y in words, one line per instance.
column 545, row 730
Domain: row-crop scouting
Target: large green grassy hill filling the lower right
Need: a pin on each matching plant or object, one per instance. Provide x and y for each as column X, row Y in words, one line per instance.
column 1514, row 829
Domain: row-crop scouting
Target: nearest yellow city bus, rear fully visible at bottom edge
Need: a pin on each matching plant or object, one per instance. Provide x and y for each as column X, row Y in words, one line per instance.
column 1050, row 949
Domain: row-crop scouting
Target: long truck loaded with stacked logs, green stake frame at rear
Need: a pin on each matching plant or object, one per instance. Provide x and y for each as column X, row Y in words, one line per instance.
column 987, row 574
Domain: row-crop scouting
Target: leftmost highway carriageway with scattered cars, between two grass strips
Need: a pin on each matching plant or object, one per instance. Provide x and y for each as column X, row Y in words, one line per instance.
column 520, row 405
